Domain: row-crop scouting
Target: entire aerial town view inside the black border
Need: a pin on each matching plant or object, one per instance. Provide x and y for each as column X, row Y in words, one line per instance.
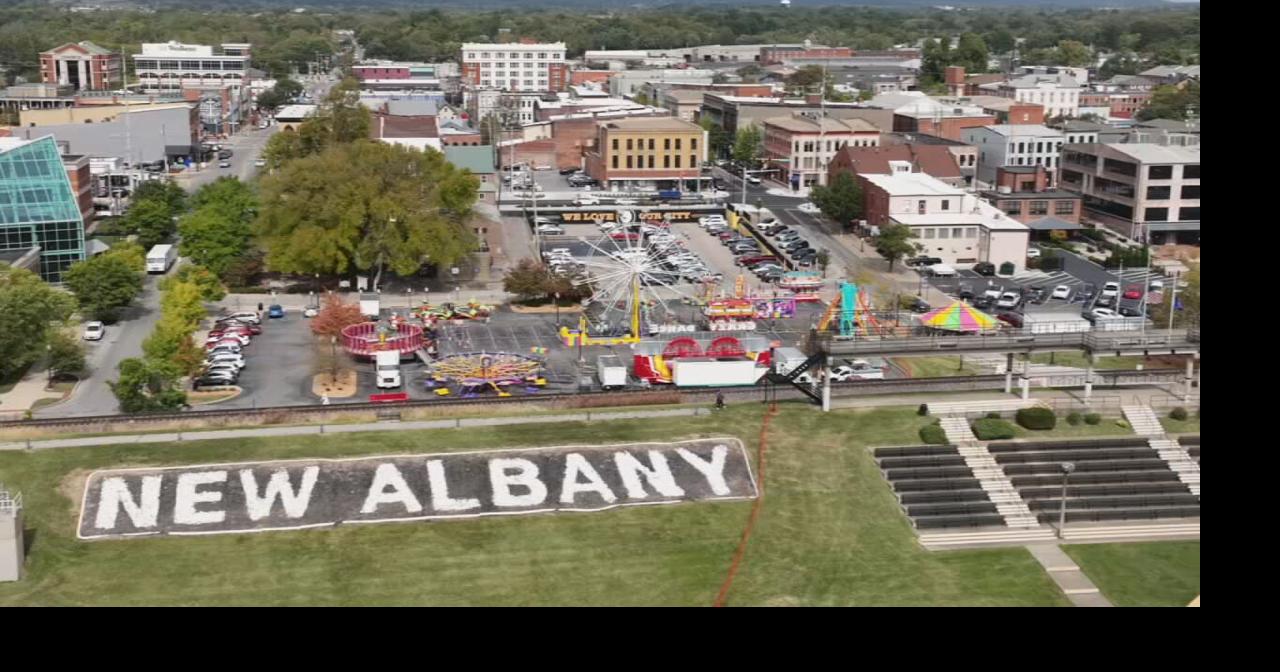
column 893, row 304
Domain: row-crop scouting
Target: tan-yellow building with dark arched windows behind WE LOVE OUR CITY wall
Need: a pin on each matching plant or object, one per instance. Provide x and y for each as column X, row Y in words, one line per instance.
column 655, row 152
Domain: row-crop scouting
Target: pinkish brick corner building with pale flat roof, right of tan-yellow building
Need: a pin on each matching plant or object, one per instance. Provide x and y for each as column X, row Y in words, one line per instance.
column 802, row 148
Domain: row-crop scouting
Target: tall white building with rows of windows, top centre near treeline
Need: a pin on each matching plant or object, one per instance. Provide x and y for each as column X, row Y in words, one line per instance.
column 524, row 66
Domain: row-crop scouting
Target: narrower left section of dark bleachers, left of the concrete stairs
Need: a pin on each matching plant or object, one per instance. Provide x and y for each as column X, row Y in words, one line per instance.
column 936, row 487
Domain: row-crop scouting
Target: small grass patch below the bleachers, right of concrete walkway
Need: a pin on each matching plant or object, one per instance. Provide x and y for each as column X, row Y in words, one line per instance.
column 1158, row 574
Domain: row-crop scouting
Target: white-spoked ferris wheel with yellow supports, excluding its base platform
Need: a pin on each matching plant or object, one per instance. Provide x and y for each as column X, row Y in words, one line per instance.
column 632, row 282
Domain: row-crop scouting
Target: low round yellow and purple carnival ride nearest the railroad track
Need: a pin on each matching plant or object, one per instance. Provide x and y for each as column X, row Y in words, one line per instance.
column 476, row 373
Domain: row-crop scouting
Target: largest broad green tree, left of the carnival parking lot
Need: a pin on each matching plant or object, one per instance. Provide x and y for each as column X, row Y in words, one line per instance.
column 367, row 205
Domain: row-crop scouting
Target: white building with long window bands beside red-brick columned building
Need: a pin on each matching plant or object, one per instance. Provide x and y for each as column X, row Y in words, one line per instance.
column 173, row 66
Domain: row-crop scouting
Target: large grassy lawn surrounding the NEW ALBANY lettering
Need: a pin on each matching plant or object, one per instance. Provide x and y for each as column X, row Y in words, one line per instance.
column 830, row 533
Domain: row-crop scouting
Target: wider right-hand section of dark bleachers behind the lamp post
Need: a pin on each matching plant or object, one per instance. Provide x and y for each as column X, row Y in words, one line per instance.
column 1114, row 479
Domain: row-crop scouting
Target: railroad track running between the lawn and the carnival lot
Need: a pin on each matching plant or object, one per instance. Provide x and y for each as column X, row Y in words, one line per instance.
column 854, row 388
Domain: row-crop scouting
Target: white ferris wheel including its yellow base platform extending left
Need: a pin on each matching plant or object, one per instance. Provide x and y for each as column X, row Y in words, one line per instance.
column 630, row 290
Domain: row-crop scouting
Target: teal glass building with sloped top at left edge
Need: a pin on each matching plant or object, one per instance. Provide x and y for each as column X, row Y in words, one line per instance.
column 38, row 205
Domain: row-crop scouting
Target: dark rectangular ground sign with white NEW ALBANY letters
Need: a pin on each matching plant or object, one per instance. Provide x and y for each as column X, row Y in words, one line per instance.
column 317, row 493
